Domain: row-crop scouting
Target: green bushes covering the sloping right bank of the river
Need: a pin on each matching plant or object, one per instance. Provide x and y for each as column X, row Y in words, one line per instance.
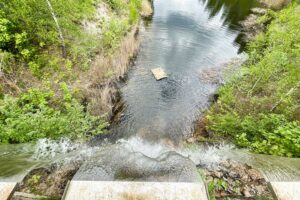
column 260, row 107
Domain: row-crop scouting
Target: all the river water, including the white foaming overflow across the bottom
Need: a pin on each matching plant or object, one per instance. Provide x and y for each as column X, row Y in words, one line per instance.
column 187, row 38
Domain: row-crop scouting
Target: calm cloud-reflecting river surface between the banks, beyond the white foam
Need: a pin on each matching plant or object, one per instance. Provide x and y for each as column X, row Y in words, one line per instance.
column 185, row 38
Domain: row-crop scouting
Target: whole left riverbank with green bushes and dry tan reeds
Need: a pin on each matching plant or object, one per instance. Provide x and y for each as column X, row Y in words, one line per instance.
column 70, row 94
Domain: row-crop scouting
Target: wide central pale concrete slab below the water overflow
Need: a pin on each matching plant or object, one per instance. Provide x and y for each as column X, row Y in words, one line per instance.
column 92, row 190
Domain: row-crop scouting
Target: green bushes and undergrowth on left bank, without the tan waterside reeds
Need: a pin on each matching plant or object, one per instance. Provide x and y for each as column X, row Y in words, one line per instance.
column 47, row 50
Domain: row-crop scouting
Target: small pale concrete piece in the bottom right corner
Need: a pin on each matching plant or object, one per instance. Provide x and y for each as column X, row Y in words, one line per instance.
column 286, row 190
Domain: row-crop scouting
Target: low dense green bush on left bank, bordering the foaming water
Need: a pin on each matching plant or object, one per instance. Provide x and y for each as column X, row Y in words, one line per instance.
column 31, row 117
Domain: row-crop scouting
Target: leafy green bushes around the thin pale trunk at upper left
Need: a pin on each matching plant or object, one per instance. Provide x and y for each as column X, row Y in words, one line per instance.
column 28, row 31
